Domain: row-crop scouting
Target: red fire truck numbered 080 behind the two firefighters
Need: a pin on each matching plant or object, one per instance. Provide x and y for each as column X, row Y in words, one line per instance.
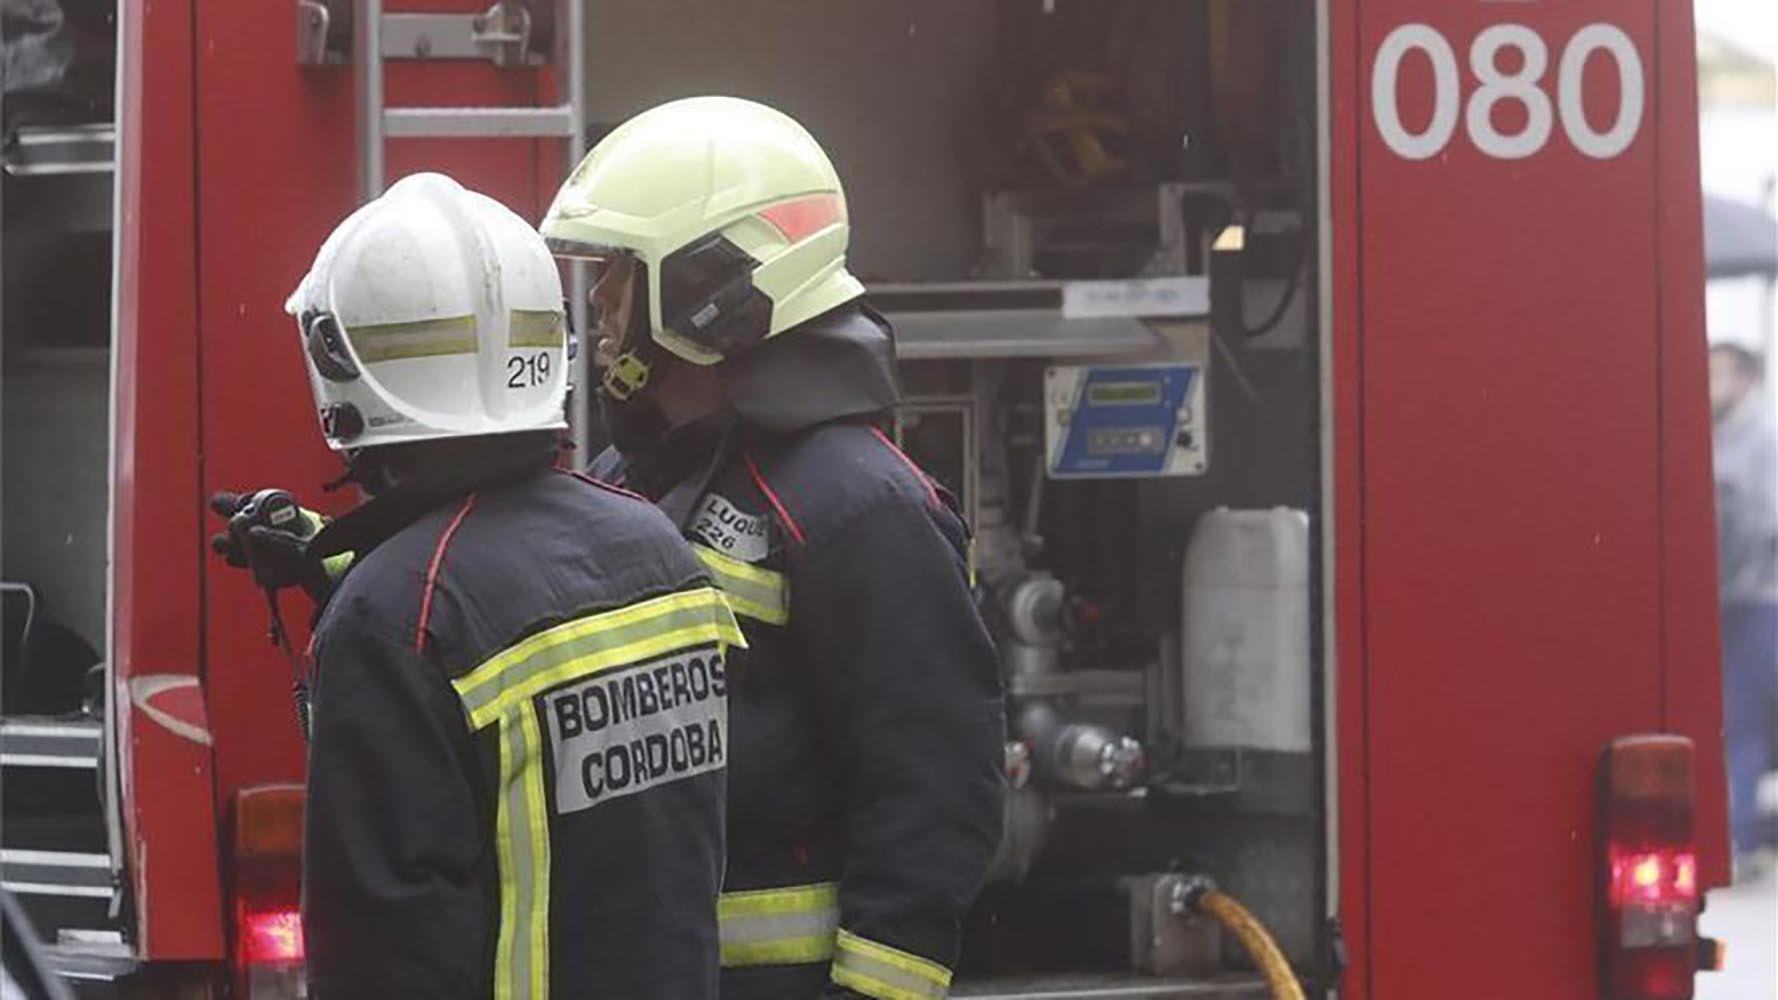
column 1325, row 380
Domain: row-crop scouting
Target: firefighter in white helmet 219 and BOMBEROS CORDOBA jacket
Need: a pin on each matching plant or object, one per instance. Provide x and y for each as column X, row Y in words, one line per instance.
column 520, row 725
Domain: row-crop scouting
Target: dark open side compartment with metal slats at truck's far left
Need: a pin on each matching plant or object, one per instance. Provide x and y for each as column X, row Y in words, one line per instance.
column 58, row 851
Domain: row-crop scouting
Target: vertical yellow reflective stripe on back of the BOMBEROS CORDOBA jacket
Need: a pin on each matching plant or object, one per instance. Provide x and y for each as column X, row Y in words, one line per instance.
column 522, row 828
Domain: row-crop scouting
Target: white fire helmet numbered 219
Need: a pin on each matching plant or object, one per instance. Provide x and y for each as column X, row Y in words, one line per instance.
column 433, row 312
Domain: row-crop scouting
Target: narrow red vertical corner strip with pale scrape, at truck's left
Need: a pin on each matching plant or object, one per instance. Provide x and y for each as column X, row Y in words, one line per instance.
column 170, row 823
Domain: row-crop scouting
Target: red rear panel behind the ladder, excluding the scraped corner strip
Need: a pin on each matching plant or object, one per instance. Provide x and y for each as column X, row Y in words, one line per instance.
column 276, row 172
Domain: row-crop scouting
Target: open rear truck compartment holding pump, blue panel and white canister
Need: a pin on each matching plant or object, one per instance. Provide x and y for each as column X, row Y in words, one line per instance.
column 1094, row 229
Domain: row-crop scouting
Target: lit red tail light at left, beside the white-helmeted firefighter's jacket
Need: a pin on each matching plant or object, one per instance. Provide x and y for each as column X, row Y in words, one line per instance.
column 268, row 892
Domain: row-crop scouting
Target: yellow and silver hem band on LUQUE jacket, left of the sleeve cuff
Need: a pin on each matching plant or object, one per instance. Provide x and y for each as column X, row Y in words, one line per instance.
column 789, row 926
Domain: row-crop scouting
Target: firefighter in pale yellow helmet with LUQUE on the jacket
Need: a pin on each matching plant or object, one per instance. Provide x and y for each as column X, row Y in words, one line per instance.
column 746, row 387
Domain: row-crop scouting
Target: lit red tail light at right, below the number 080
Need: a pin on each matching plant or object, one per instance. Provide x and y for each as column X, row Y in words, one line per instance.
column 1647, row 871
